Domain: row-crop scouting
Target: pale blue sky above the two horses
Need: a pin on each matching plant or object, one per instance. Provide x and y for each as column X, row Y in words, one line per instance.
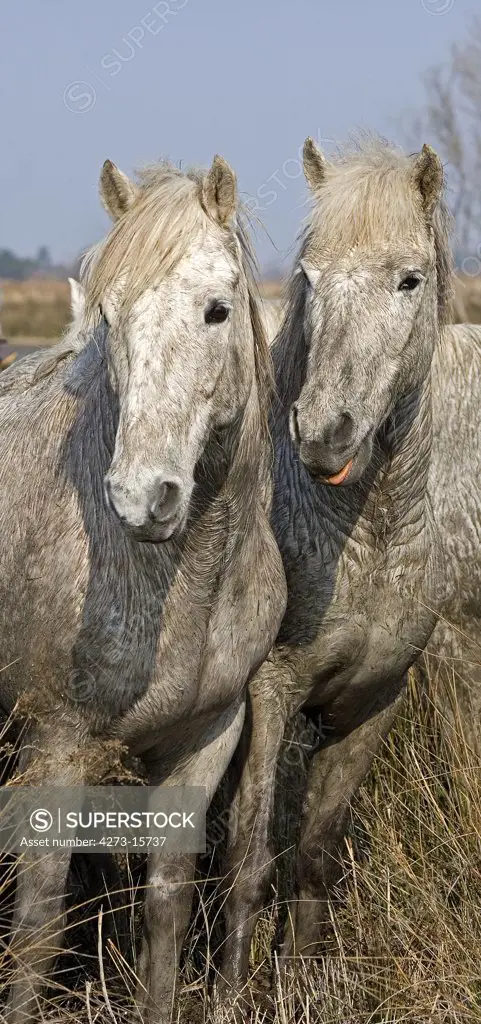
column 249, row 80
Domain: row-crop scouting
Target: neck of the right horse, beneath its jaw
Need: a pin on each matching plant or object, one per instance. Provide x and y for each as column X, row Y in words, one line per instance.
column 390, row 501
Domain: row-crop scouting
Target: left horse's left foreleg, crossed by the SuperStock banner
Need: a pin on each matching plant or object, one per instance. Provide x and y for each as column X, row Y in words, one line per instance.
column 39, row 917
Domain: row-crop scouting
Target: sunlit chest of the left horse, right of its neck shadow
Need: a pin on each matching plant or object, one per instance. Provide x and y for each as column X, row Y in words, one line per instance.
column 205, row 659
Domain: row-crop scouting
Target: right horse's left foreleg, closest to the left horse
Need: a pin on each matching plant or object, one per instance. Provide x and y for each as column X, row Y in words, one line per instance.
column 250, row 858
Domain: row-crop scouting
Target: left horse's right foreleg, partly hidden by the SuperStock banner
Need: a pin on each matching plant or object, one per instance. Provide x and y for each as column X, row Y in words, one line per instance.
column 171, row 877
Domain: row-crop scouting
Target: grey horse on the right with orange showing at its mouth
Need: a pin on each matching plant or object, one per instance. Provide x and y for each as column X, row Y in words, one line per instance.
column 353, row 430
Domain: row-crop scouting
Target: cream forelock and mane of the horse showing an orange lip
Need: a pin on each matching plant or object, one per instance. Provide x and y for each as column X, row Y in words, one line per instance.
column 368, row 199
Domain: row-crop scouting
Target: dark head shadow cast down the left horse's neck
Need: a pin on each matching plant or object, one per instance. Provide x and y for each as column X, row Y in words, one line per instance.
column 128, row 581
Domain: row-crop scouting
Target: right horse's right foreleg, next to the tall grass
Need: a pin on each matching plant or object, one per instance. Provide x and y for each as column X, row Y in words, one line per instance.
column 336, row 773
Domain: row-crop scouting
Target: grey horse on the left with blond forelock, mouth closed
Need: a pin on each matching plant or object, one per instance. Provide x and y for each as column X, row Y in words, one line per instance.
column 136, row 488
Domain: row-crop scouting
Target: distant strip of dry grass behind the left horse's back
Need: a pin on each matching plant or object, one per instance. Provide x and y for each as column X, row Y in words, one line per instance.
column 36, row 309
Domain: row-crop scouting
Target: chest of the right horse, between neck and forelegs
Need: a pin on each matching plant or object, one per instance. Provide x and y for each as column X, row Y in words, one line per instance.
column 356, row 619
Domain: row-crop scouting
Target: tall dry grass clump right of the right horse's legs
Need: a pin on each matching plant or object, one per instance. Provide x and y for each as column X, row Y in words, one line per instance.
column 409, row 934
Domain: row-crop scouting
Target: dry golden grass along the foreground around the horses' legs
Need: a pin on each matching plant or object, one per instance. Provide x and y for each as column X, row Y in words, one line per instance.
column 407, row 932
